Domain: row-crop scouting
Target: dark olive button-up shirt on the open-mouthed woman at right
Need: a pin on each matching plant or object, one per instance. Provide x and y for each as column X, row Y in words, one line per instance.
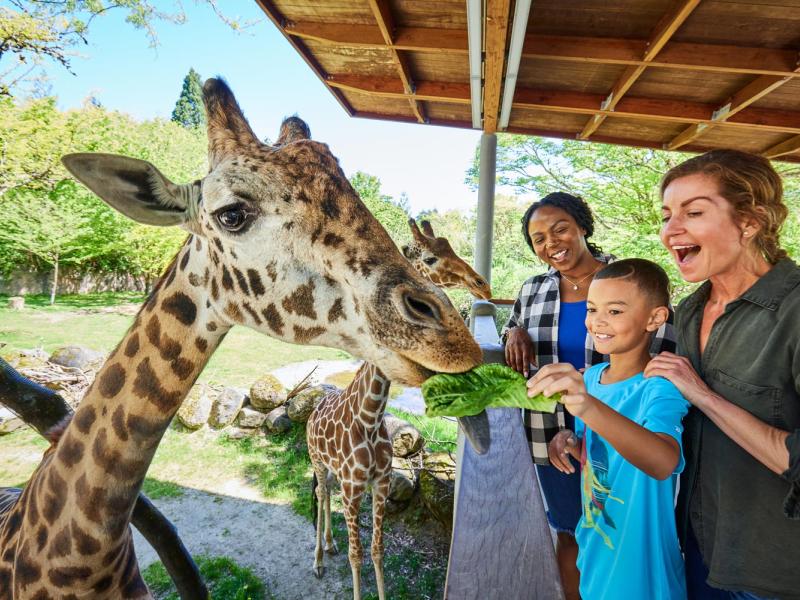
column 746, row 518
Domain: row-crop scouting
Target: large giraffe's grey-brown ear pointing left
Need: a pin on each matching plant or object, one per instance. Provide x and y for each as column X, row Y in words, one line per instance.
column 135, row 188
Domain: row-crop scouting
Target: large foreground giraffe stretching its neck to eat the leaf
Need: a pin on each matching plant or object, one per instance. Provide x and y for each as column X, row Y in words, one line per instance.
column 279, row 242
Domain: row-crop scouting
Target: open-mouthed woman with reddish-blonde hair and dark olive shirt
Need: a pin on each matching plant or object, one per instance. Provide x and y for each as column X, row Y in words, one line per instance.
column 739, row 365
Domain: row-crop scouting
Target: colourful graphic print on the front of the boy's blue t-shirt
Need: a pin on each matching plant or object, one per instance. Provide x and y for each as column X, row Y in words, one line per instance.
column 596, row 490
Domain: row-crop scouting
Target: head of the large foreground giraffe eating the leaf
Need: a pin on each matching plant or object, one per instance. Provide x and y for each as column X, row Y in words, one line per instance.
column 282, row 243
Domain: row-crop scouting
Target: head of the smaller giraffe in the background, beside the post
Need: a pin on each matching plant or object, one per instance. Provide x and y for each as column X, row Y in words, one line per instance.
column 434, row 258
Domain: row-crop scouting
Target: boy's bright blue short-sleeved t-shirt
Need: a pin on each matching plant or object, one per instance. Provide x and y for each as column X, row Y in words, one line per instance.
column 627, row 539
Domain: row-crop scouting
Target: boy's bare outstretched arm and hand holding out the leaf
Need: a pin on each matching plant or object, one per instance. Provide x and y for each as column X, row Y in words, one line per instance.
column 656, row 454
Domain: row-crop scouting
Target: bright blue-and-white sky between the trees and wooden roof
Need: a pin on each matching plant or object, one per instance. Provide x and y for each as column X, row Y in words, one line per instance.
column 270, row 81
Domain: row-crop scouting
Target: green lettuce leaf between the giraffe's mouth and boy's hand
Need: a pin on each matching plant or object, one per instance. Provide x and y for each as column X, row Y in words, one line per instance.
column 485, row 386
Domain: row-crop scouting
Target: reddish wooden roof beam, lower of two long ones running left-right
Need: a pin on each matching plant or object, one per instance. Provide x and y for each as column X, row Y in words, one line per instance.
column 649, row 109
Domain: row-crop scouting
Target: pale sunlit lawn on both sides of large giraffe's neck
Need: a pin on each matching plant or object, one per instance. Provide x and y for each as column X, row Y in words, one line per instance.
column 243, row 356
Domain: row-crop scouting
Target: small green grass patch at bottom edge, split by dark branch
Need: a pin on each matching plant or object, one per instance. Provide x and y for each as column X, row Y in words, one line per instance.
column 225, row 580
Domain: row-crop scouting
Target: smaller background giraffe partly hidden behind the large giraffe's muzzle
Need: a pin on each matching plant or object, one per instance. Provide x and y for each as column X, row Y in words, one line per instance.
column 346, row 434
